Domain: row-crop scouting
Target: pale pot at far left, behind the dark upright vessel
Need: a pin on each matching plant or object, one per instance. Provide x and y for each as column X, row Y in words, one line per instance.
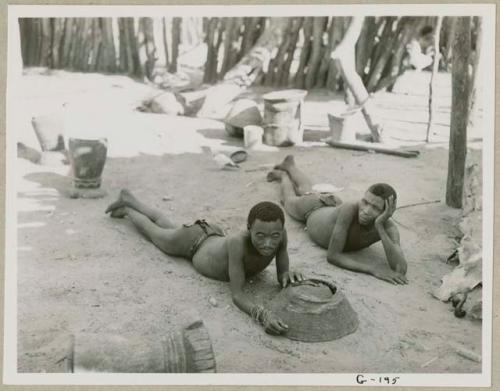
column 49, row 130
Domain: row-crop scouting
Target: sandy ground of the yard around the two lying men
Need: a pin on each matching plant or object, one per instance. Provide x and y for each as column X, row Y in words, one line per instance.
column 80, row 271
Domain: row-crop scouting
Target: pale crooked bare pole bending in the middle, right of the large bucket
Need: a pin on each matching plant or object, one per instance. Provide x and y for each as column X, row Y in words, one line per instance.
column 344, row 54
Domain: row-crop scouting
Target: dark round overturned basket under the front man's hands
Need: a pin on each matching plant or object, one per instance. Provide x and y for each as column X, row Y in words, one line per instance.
column 315, row 311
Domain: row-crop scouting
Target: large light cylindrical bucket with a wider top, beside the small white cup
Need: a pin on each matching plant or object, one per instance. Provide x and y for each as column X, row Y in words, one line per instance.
column 283, row 117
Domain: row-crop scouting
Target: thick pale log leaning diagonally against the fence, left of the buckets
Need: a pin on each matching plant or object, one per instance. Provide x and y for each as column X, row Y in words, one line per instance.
column 244, row 73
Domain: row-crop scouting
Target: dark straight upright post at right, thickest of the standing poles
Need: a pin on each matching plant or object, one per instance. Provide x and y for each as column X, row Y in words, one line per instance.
column 459, row 112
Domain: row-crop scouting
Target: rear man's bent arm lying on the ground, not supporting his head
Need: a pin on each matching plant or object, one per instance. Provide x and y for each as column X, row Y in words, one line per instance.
column 338, row 240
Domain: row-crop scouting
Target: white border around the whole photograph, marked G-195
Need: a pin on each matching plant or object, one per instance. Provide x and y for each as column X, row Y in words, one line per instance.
column 10, row 374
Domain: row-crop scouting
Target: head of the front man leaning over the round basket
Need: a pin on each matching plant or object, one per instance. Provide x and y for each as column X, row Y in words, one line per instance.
column 266, row 223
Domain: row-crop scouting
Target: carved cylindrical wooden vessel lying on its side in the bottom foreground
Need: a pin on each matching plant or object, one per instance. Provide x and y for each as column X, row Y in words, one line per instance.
column 188, row 350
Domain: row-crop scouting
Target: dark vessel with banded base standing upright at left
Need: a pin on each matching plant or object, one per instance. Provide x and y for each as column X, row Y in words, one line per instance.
column 87, row 158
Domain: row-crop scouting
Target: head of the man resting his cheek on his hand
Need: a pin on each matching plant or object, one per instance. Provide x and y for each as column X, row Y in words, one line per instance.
column 372, row 204
